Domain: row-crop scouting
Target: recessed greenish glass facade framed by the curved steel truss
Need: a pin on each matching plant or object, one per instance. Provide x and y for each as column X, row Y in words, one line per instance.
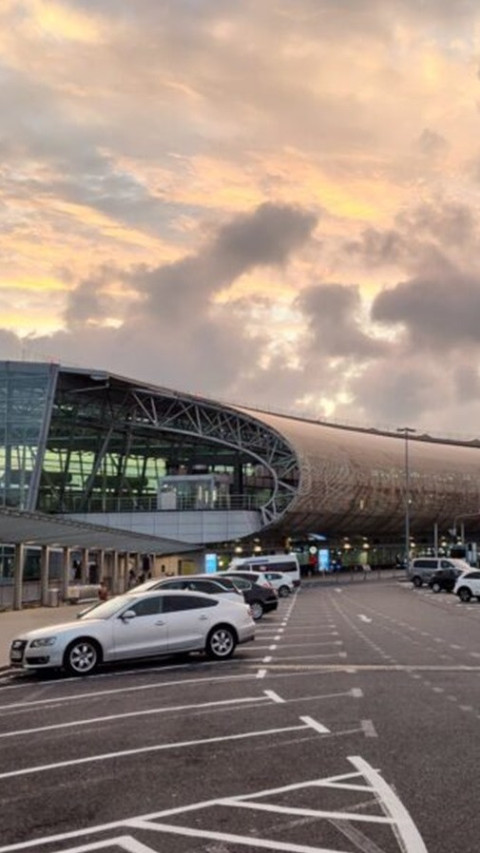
column 103, row 454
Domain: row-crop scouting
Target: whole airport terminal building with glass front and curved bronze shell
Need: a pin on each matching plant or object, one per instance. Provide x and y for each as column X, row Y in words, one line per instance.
column 89, row 447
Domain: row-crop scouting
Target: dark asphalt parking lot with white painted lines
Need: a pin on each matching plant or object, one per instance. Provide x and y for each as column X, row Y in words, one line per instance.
column 345, row 726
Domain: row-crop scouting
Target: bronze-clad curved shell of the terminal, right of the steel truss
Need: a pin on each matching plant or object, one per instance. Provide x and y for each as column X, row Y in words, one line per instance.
column 352, row 481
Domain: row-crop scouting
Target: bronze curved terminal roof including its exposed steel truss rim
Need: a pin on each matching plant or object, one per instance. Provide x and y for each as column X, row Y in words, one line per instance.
column 330, row 479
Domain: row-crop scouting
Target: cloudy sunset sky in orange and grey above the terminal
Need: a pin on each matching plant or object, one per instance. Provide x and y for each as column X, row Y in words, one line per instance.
column 271, row 203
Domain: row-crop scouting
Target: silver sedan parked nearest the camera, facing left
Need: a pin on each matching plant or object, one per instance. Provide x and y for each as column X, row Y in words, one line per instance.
column 137, row 626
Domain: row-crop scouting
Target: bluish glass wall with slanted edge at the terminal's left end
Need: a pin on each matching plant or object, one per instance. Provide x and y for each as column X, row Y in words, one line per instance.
column 25, row 398
